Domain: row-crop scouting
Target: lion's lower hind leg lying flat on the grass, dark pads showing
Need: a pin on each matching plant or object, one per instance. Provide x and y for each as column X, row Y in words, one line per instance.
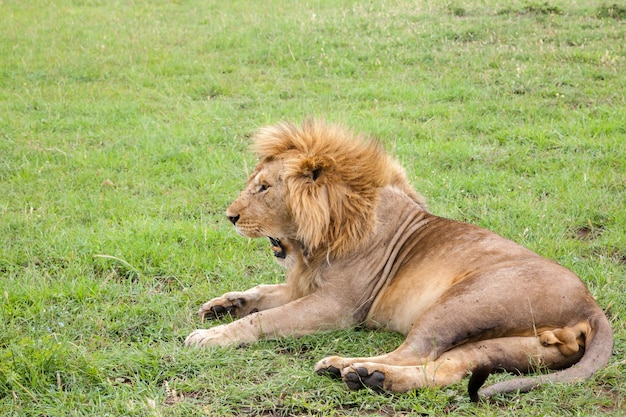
column 515, row 354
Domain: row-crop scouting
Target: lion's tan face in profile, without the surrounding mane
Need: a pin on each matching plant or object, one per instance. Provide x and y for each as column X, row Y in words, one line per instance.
column 260, row 209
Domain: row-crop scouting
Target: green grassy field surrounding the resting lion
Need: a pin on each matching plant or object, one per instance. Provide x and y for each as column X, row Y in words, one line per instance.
column 123, row 136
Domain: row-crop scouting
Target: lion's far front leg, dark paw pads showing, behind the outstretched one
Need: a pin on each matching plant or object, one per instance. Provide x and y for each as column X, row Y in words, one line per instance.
column 242, row 303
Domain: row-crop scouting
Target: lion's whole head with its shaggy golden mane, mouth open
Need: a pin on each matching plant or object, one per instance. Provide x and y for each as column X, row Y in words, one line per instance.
column 318, row 185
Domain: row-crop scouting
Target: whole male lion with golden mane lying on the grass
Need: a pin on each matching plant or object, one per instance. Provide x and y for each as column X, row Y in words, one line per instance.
column 360, row 247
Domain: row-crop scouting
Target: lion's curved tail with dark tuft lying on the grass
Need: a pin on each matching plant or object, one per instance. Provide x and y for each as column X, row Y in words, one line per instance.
column 598, row 350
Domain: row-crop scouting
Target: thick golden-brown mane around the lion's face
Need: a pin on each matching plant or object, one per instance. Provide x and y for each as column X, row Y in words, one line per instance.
column 333, row 180
